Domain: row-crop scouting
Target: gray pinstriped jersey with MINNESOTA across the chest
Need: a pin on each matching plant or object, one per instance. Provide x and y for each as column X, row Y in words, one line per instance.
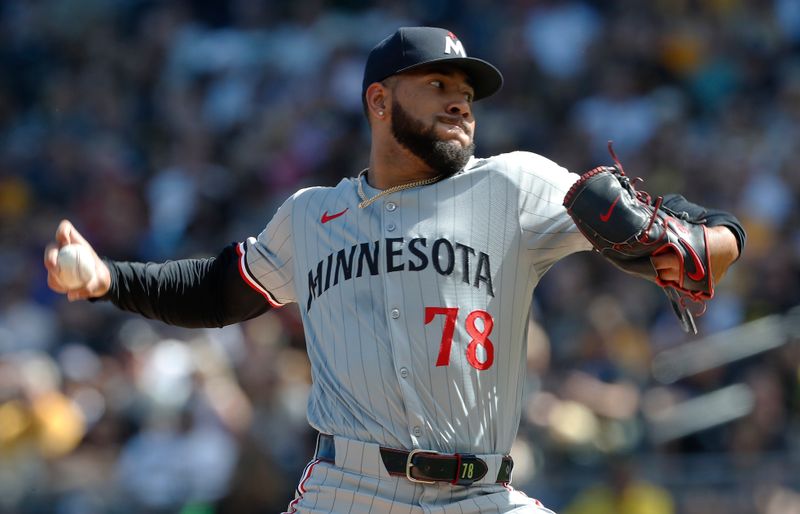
column 415, row 307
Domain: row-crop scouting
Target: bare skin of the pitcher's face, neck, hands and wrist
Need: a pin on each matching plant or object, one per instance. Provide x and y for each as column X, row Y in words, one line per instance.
column 436, row 95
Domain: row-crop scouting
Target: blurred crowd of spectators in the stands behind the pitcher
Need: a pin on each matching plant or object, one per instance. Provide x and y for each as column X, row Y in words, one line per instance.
column 168, row 129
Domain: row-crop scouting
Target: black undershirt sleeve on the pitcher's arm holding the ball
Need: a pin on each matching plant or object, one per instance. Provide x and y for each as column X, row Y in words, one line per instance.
column 187, row 293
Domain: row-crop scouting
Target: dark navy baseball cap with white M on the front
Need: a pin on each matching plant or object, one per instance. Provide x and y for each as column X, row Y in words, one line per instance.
column 413, row 47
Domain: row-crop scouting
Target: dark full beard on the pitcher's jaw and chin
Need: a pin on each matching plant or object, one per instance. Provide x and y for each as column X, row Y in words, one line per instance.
column 444, row 157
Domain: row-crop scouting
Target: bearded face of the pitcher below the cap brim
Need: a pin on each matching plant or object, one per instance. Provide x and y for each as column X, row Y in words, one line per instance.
column 432, row 117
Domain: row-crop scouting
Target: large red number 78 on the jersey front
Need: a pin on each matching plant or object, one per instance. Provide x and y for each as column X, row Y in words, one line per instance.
column 480, row 337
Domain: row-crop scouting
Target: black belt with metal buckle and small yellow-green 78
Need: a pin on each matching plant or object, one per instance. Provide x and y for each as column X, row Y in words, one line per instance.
column 426, row 466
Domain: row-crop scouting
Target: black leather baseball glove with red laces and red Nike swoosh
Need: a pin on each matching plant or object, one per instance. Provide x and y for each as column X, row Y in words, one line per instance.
column 629, row 229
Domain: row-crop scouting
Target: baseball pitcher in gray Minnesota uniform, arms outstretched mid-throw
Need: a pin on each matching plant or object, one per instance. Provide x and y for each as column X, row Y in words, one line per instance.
column 414, row 279
